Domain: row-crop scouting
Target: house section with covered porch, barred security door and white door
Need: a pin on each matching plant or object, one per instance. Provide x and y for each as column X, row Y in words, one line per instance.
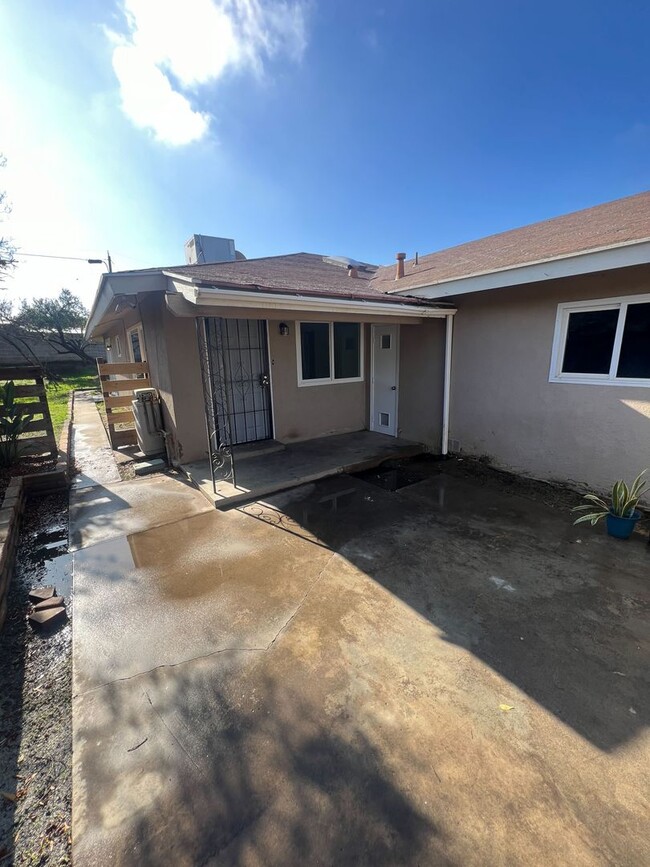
column 279, row 350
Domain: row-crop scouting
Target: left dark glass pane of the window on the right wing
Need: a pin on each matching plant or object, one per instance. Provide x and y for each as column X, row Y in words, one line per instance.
column 590, row 340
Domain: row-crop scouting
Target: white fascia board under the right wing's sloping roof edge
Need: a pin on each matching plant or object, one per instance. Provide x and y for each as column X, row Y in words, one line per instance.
column 637, row 253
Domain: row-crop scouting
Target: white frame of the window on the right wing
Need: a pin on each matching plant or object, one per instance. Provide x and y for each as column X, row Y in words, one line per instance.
column 559, row 342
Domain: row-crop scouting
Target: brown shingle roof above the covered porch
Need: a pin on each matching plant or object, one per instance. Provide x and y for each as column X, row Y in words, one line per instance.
column 296, row 273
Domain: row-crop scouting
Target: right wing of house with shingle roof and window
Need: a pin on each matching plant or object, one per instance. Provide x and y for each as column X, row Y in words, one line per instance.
column 551, row 359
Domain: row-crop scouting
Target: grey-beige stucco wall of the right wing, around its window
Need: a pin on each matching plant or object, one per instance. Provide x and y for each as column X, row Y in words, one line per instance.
column 504, row 406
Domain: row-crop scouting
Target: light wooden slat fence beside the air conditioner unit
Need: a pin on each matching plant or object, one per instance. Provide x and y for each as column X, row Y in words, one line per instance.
column 118, row 394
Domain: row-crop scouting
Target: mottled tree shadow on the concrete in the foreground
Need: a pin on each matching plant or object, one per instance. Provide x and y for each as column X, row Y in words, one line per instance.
column 227, row 765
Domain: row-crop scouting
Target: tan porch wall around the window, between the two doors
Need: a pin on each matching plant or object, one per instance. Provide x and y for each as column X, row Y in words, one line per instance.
column 317, row 410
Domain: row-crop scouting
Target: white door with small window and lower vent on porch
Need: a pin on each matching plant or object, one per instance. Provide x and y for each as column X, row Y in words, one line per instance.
column 384, row 379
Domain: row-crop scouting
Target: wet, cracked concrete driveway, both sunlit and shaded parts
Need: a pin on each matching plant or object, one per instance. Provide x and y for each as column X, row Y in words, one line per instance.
column 444, row 674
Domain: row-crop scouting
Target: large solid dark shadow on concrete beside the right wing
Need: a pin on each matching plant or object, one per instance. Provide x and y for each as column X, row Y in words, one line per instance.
column 503, row 577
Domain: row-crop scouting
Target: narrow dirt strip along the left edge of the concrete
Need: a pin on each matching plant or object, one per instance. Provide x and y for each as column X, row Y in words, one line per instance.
column 35, row 695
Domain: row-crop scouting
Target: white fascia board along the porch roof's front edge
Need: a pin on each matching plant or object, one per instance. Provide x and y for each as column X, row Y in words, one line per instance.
column 216, row 297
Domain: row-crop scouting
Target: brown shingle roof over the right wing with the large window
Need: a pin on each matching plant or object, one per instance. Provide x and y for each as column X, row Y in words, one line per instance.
column 611, row 224
